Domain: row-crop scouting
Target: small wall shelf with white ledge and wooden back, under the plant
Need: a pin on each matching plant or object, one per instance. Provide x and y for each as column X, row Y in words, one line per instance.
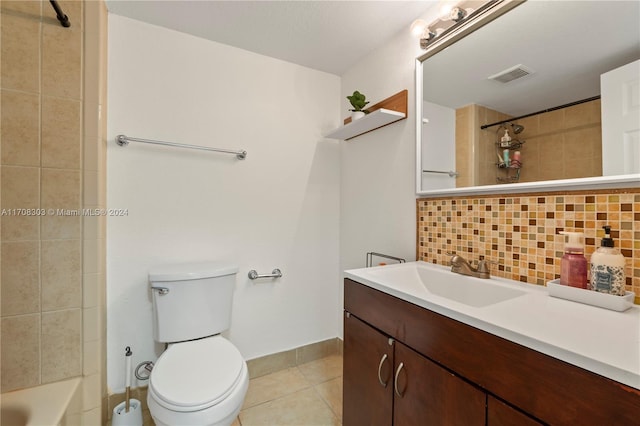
column 381, row 114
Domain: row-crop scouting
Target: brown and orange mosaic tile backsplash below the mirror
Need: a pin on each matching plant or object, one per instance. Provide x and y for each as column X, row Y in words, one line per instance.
column 521, row 231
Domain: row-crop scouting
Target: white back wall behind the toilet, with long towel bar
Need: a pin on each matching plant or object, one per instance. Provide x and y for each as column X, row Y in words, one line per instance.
column 278, row 208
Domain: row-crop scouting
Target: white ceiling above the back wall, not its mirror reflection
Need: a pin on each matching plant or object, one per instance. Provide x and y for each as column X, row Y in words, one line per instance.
column 329, row 36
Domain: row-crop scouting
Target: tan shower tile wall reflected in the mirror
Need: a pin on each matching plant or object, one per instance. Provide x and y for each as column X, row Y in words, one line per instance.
column 561, row 144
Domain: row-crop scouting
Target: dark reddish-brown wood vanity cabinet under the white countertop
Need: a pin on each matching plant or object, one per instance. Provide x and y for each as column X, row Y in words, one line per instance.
column 455, row 374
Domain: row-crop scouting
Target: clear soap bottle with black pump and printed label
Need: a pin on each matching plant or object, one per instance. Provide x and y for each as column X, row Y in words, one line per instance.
column 607, row 267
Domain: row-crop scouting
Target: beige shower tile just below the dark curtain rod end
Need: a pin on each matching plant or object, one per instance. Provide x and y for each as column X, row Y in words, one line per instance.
column 61, row 61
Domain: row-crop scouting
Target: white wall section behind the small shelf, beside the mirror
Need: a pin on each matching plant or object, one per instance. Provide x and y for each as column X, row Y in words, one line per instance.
column 377, row 197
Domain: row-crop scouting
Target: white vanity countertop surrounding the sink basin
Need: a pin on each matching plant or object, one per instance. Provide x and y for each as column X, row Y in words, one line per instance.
column 596, row 339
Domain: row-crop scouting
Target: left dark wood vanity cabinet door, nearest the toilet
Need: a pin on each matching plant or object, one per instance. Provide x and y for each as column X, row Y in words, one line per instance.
column 367, row 375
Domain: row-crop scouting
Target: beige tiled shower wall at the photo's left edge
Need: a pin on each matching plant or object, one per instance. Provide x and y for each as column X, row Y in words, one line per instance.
column 48, row 156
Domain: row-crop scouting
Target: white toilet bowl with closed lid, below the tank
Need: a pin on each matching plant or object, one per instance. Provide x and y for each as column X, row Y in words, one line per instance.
column 201, row 383
